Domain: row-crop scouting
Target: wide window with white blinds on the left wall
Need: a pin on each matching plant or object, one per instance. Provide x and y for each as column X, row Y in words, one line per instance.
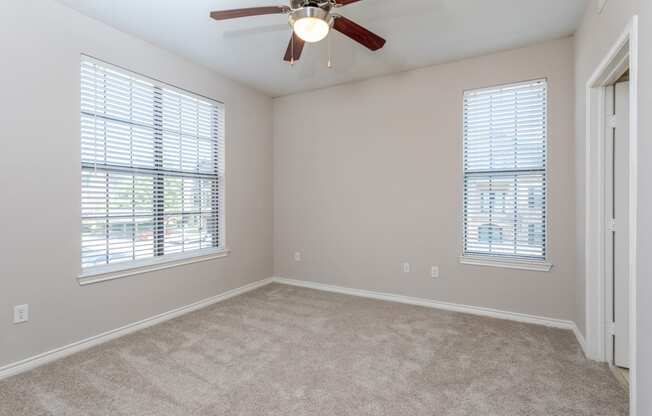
column 152, row 169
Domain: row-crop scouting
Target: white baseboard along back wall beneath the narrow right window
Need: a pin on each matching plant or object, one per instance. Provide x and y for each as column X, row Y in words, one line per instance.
column 428, row 303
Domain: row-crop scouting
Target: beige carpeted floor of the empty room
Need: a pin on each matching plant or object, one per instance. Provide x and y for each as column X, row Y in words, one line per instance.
column 282, row 350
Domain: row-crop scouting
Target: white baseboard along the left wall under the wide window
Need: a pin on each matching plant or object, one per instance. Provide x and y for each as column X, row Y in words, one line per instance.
column 58, row 353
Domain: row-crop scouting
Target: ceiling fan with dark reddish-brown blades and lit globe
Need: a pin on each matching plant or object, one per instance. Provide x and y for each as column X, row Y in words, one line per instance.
column 311, row 21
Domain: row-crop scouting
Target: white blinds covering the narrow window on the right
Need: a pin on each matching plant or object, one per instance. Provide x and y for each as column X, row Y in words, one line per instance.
column 505, row 171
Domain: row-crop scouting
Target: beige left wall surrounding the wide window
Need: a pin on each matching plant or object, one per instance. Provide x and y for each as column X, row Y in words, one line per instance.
column 40, row 43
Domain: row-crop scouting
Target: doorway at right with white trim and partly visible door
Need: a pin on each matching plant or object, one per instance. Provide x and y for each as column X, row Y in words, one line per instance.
column 604, row 267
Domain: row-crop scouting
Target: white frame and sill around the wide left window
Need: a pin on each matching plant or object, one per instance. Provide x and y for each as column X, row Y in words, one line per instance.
column 94, row 274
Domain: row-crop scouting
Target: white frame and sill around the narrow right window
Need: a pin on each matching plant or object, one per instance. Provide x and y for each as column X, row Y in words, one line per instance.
column 505, row 261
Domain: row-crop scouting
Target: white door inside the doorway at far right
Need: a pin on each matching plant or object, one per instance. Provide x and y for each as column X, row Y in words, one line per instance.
column 618, row 211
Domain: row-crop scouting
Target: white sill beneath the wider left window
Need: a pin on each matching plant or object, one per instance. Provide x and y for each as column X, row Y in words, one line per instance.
column 118, row 271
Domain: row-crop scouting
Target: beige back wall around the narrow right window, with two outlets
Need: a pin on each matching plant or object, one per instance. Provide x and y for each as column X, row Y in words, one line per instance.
column 368, row 175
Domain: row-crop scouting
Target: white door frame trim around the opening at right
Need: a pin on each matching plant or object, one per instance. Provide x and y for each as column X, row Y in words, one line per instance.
column 622, row 55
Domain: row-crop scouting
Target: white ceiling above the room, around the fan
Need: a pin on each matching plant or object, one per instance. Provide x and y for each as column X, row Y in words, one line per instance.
column 418, row 32
